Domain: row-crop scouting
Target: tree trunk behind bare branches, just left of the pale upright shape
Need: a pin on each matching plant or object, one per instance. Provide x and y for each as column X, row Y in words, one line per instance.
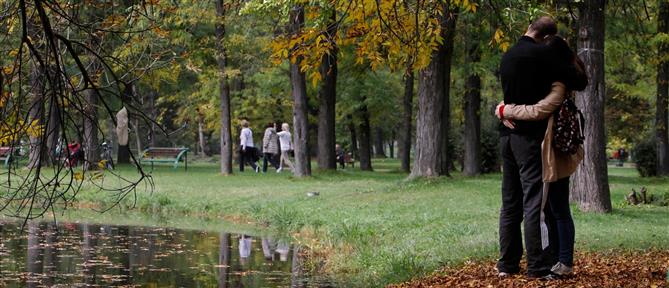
column 91, row 144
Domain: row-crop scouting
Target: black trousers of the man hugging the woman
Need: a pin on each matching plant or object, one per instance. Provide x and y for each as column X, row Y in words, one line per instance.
column 522, row 188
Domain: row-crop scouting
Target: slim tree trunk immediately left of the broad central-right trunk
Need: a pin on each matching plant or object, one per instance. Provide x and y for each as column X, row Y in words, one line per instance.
column 405, row 130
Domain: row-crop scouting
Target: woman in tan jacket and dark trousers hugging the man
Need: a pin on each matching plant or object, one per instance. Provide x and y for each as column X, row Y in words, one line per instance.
column 557, row 166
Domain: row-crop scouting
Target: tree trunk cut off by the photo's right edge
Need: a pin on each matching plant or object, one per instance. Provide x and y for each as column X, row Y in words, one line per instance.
column 661, row 115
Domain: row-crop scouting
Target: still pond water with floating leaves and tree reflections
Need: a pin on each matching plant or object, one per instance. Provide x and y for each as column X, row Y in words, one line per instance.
column 92, row 255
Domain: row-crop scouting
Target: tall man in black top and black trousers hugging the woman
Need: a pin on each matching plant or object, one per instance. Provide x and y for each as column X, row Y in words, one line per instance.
column 526, row 71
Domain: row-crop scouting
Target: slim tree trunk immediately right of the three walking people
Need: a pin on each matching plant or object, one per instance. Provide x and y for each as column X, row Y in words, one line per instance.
column 300, row 122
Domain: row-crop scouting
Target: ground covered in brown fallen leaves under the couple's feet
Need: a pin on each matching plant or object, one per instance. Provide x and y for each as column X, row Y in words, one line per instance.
column 611, row 269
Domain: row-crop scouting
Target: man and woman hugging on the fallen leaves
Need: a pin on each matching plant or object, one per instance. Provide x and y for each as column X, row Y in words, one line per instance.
column 537, row 74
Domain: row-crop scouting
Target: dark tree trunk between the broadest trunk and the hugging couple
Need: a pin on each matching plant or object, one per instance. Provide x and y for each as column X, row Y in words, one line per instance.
column 472, row 145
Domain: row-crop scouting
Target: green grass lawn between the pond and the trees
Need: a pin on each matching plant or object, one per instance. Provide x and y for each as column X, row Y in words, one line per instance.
column 375, row 228
